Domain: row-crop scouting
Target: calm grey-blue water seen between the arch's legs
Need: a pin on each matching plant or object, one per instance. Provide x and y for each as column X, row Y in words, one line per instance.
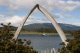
column 40, row 42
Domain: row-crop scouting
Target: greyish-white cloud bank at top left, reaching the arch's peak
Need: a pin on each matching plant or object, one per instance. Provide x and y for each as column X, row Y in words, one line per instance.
column 17, row 4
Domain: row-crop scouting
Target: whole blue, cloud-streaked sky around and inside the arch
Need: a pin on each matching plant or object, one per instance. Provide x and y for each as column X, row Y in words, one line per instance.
column 63, row 11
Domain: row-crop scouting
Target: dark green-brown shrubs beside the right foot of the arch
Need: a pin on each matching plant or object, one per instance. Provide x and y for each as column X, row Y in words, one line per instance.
column 73, row 45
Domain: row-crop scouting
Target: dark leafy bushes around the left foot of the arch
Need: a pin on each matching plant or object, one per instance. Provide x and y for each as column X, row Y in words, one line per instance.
column 7, row 45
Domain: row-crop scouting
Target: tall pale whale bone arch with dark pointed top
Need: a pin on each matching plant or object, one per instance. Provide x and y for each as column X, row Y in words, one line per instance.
column 49, row 16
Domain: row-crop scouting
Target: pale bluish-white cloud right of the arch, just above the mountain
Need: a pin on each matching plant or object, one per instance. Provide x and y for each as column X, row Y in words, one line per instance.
column 69, row 19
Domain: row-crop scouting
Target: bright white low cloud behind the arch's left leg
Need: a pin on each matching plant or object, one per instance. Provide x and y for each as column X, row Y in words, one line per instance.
column 17, row 20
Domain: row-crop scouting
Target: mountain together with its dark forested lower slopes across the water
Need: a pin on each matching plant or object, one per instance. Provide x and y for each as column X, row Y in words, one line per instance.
column 47, row 27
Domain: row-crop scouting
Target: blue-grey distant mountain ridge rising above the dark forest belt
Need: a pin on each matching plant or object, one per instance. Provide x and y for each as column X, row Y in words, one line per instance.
column 50, row 26
